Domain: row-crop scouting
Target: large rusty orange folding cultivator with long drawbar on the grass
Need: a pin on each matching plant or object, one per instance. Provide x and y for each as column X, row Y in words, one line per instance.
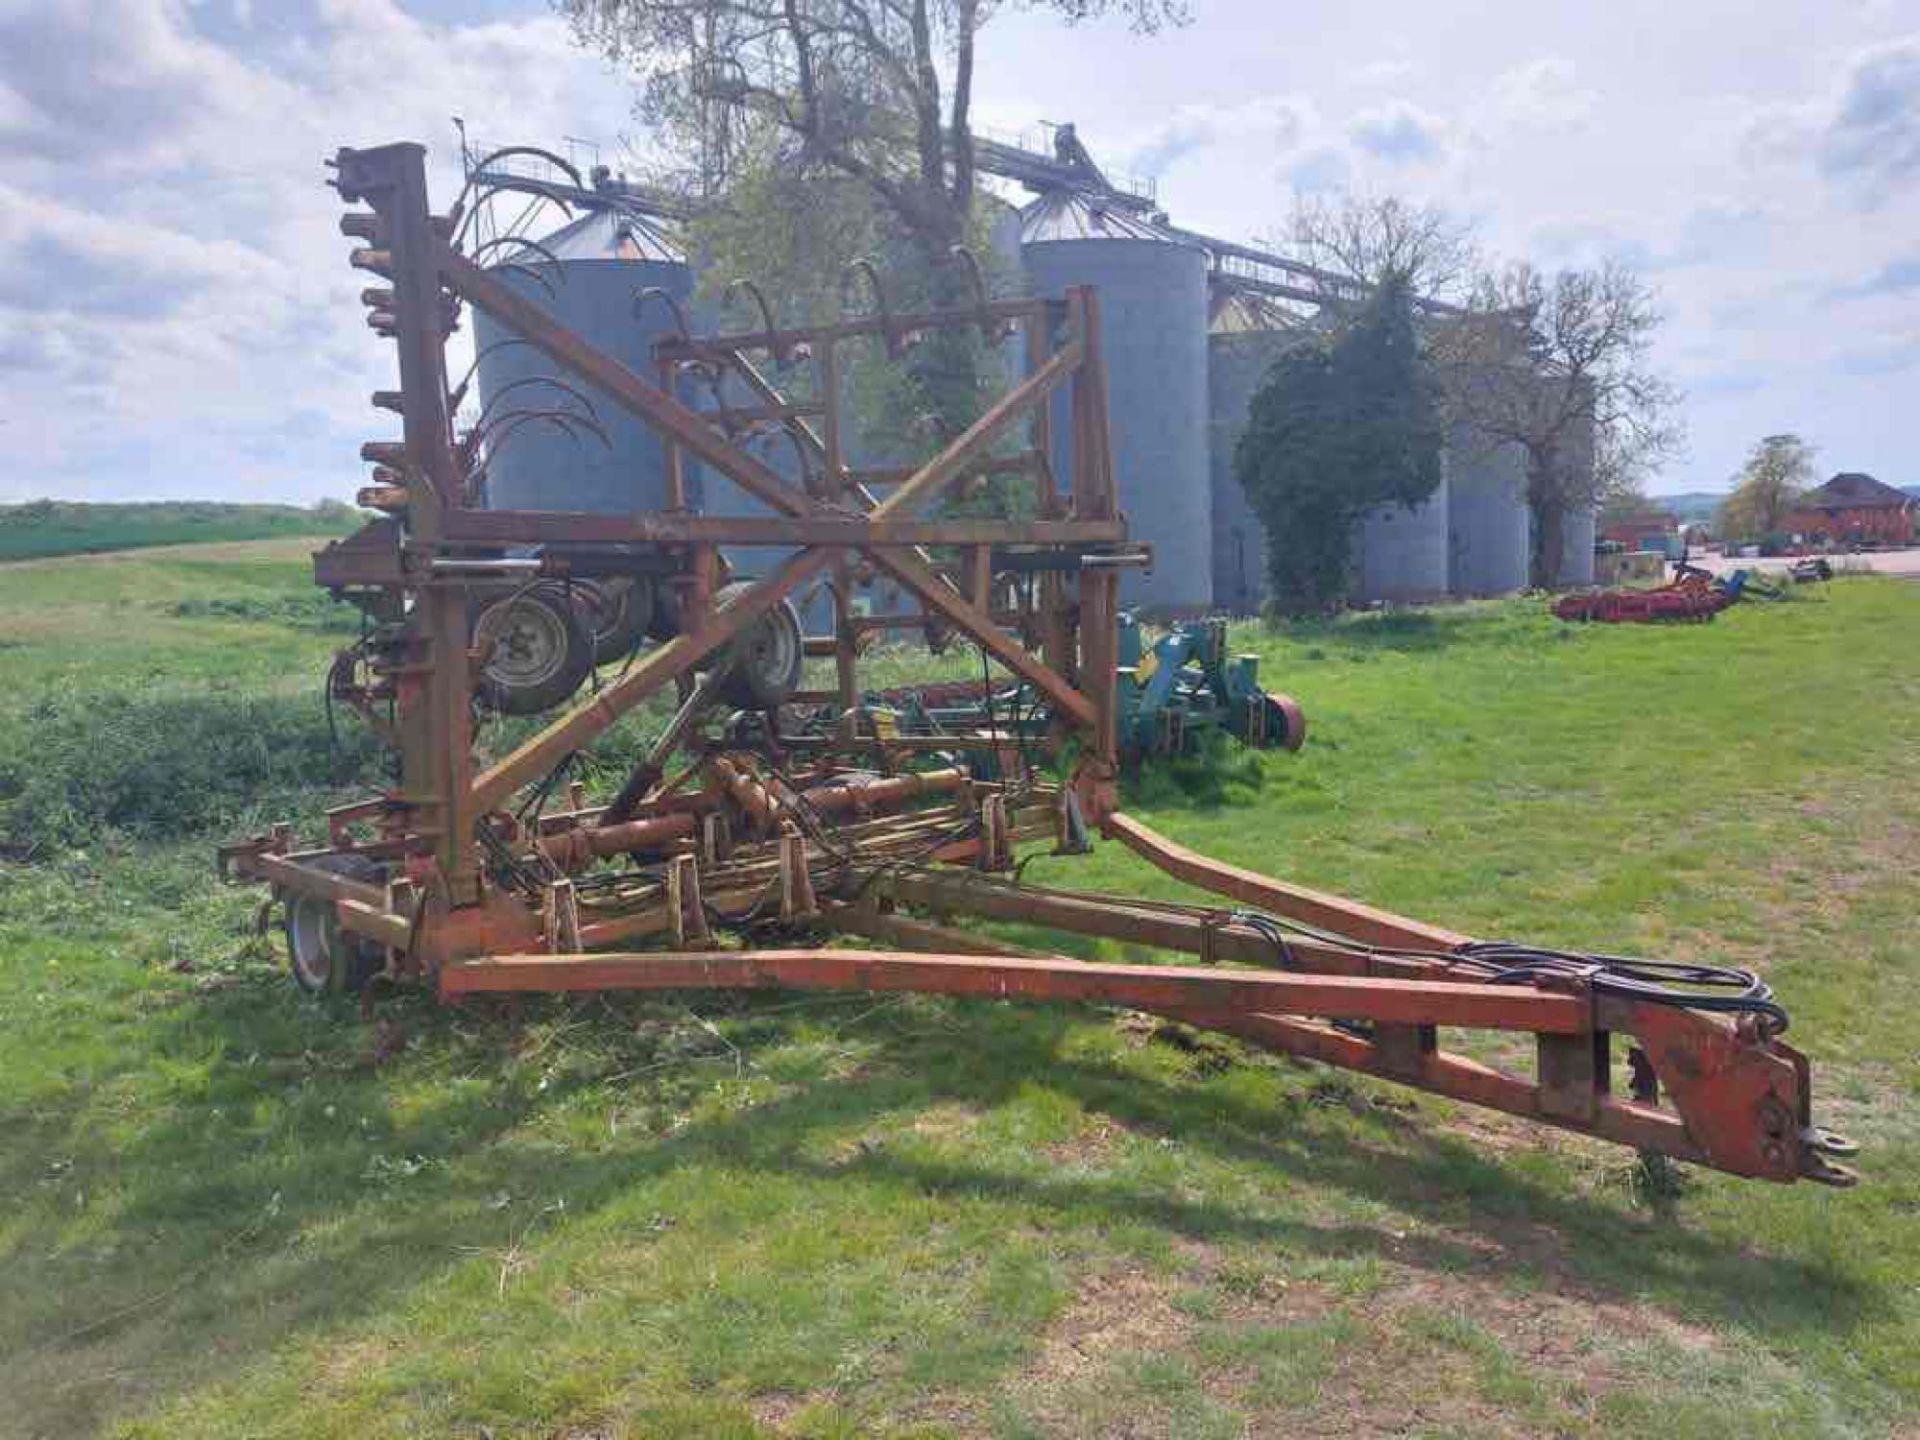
column 765, row 809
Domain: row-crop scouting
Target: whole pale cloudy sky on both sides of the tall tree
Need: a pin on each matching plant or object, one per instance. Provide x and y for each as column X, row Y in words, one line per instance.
column 178, row 318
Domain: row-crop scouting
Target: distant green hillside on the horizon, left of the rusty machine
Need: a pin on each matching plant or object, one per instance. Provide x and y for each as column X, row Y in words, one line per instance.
column 57, row 527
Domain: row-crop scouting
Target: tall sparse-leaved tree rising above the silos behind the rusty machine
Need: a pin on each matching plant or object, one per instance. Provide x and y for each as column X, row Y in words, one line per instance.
column 873, row 97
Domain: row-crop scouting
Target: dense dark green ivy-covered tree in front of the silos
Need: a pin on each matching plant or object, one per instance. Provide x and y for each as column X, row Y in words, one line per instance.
column 1341, row 427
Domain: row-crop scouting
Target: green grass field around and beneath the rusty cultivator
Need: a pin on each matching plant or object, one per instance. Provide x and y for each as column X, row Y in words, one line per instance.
column 228, row 1212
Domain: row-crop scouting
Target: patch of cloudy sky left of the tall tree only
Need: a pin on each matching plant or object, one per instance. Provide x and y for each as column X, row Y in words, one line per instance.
column 178, row 316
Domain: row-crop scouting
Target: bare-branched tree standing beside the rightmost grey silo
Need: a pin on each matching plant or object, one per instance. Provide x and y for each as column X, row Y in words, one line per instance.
column 1560, row 366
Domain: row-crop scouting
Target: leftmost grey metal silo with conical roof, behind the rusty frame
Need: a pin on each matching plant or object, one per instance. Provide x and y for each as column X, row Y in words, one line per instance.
column 602, row 264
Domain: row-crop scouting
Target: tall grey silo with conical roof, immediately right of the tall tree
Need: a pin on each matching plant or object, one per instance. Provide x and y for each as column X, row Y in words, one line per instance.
column 1155, row 324
